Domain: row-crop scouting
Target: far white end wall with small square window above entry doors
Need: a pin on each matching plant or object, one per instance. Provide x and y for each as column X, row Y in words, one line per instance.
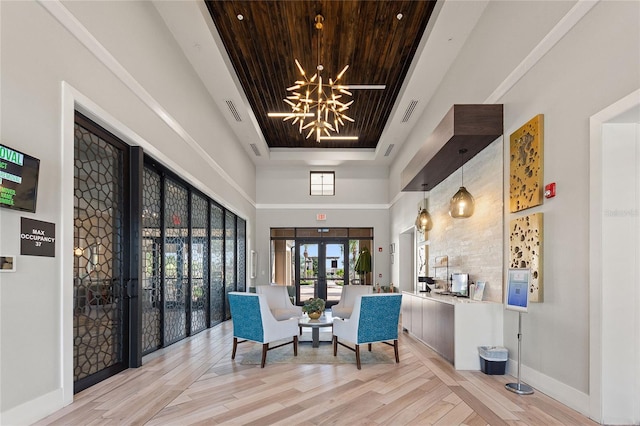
column 361, row 200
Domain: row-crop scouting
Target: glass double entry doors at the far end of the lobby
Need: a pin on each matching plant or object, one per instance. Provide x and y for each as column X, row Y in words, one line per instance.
column 321, row 270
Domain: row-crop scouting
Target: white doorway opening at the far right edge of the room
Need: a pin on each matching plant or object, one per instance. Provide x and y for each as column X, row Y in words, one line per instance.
column 614, row 263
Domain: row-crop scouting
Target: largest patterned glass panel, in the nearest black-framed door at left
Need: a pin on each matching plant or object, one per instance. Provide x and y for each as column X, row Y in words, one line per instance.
column 98, row 237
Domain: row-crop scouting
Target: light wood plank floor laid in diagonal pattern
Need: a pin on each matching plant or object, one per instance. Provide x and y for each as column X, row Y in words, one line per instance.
column 196, row 382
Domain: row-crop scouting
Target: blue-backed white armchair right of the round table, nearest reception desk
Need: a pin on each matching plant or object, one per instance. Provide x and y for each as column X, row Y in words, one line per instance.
column 375, row 318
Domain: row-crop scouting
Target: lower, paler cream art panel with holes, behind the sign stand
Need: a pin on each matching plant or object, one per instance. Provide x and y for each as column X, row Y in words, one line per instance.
column 525, row 250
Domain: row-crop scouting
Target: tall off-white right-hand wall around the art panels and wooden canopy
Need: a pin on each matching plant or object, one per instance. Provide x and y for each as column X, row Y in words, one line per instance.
column 579, row 72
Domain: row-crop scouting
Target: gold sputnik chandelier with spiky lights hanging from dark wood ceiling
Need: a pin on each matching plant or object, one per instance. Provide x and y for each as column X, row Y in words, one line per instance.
column 317, row 106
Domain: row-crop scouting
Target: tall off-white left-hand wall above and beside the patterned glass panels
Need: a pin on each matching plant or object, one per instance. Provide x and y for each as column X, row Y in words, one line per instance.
column 132, row 78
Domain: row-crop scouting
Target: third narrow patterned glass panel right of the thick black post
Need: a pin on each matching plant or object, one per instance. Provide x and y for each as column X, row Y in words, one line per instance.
column 199, row 262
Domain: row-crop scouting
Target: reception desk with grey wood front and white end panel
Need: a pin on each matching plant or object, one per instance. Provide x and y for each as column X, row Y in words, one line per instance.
column 453, row 327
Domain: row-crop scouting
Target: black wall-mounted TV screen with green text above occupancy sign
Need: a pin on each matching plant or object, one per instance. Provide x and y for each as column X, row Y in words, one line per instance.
column 18, row 179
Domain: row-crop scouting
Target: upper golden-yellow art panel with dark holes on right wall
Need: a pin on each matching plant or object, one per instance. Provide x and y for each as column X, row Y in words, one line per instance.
column 526, row 161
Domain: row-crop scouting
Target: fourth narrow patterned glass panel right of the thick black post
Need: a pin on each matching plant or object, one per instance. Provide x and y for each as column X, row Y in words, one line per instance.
column 217, row 299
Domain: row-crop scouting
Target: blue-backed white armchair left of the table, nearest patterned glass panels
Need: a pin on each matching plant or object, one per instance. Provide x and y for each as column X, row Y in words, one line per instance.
column 253, row 321
